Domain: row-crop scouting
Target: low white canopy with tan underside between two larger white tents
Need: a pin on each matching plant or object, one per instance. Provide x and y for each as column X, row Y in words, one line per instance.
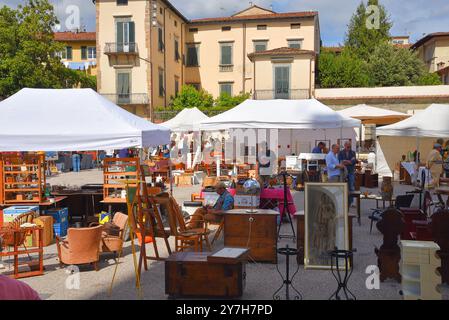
column 373, row 115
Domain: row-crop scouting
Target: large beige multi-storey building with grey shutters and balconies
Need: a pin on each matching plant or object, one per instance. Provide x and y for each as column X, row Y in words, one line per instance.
column 147, row 50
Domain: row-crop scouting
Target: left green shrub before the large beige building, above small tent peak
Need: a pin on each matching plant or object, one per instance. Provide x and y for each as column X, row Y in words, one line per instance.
column 189, row 97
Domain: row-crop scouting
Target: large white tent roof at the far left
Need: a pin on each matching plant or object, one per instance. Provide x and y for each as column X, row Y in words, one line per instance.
column 72, row 120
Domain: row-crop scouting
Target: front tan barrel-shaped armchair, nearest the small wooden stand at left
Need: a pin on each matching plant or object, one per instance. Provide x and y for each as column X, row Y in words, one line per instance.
column 81, row 246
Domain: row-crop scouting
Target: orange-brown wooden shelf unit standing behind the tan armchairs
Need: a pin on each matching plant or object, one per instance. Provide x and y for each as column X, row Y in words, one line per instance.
column 117, row 172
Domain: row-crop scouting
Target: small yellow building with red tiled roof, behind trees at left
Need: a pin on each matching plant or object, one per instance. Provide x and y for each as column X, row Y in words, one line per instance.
column 80, row 52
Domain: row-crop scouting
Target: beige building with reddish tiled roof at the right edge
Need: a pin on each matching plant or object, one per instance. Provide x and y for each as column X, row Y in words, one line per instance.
column 433, row 49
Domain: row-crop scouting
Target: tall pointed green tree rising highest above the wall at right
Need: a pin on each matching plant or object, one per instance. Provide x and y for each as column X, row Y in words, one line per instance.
column 363, row 35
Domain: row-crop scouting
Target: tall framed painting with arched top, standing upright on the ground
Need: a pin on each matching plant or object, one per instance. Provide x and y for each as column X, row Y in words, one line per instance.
column 326, row 222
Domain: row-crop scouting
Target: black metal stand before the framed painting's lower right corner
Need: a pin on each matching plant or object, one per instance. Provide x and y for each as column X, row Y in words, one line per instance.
column 337, row 271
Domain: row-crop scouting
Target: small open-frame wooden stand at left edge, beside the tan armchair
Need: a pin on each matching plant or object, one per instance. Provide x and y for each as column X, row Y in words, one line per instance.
column 20, row 252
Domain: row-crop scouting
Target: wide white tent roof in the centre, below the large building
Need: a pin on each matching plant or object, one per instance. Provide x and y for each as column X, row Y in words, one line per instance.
column 279, row 114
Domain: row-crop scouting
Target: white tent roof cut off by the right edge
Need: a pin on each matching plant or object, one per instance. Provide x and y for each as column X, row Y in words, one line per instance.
column 432, row 122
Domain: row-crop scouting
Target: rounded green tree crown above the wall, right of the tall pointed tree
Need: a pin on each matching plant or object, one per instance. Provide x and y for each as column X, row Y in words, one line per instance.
column 395, row 66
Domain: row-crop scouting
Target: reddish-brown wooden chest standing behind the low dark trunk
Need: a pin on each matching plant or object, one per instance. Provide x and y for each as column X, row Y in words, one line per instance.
column 255, row 231
